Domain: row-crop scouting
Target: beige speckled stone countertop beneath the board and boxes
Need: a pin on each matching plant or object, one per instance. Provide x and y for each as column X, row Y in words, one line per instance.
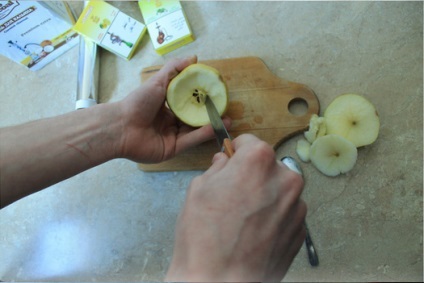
column 116, row 223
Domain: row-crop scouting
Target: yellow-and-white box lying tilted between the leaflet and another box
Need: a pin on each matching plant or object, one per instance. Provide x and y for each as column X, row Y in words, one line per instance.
column 110, row 28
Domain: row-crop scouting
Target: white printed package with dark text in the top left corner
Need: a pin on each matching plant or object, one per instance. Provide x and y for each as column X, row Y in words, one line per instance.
column 34, row 33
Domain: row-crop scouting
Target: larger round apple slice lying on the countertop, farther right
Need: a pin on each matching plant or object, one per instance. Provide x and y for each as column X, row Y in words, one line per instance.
column 353, row 117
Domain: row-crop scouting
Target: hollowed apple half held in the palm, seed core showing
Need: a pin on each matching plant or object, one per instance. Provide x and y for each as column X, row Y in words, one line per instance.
column 187, row 92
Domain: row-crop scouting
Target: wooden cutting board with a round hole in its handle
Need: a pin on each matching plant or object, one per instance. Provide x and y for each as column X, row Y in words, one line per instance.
column 260, row 103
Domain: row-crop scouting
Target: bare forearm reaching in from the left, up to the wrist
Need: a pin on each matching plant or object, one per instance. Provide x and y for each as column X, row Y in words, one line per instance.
column 38, row 154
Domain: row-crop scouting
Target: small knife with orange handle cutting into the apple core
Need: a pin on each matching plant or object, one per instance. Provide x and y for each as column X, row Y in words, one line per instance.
column 222, row 136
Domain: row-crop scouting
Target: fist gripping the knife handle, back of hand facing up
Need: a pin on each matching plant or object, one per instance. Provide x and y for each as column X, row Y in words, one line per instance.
column 242, row 220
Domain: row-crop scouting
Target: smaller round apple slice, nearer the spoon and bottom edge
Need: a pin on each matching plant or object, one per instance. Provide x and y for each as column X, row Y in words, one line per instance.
column 333, row 155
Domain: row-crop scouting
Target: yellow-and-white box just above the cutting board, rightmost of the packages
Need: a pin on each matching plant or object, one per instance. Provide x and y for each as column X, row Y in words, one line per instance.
column 167, row 24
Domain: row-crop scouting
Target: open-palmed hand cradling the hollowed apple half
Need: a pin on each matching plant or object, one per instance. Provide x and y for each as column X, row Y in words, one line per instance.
column 151, row 132
